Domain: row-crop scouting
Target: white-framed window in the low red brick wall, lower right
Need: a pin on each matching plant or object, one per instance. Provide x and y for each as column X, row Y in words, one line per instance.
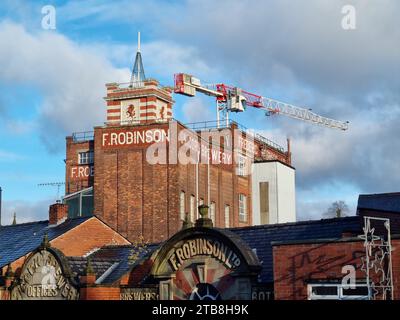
column 337, row 292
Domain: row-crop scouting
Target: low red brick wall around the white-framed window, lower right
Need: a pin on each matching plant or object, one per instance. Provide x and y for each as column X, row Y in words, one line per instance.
column 295, row 265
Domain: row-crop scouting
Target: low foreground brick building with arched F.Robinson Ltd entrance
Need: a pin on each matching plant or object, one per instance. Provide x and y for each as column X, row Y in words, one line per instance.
column 295, row 261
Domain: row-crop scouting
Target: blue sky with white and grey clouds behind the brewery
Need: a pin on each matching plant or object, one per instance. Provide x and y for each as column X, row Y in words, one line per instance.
column 52, row 83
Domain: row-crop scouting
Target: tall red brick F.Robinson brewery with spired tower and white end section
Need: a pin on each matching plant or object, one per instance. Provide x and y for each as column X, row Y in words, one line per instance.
column 109, row 173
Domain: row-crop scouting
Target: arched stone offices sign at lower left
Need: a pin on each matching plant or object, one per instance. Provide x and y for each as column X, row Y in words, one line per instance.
column 42, row 278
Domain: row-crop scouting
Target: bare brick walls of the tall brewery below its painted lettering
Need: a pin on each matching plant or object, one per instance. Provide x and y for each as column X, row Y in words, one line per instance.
column 137, row 198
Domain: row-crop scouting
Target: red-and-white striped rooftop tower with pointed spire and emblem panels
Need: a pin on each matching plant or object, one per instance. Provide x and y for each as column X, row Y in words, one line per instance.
column 140, row 101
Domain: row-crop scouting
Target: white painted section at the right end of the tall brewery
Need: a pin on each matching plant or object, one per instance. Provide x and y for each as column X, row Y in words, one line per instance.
column 273, row 192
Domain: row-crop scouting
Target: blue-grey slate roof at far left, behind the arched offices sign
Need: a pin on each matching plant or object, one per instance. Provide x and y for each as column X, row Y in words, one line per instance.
column 20, row 239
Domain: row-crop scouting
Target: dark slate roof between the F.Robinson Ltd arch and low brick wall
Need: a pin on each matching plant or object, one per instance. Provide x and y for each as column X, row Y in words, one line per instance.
column 260, row 238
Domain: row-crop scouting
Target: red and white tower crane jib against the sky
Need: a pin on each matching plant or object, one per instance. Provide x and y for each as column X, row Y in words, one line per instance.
column 233, row 99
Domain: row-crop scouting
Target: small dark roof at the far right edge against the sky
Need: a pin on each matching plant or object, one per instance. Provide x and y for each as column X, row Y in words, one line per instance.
column 380, row 201
